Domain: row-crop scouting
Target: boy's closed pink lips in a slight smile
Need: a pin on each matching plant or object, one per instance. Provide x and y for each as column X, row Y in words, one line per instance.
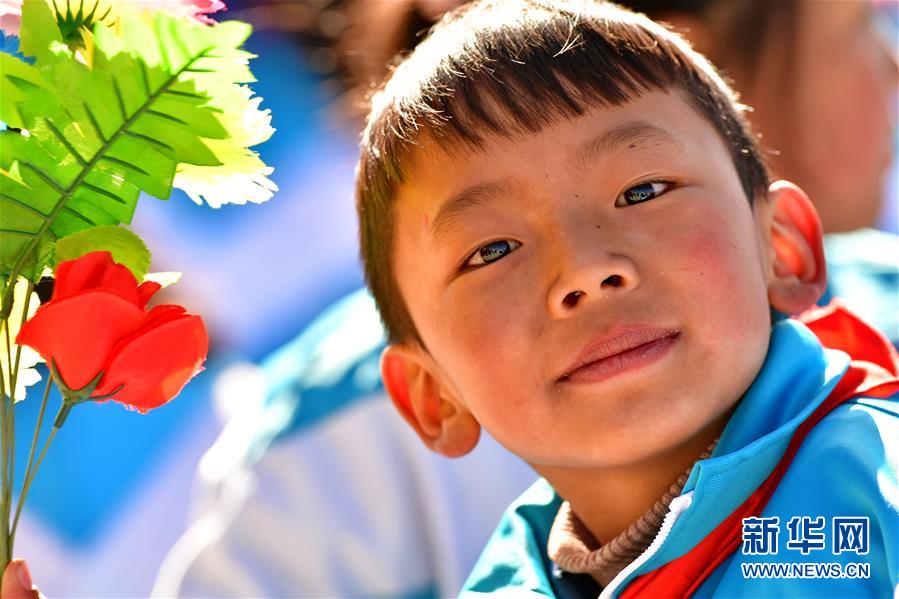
column 619, row 350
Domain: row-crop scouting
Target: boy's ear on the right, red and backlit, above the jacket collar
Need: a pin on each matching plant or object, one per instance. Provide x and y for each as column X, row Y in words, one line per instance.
column 797, row 275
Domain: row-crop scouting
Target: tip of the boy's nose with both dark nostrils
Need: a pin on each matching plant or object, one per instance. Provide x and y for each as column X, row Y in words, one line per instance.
column 594, row 279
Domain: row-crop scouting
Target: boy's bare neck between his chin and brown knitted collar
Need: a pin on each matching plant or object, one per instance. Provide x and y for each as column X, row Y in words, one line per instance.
column 608, row 500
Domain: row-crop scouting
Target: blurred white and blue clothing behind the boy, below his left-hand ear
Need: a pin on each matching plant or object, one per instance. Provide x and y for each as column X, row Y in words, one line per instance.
column 320, row 489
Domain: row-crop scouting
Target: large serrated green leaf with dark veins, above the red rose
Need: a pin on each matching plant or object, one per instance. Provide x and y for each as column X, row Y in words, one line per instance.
column 98, row 136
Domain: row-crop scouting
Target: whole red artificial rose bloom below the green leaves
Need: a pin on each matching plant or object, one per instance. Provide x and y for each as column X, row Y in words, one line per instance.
column 97, row 322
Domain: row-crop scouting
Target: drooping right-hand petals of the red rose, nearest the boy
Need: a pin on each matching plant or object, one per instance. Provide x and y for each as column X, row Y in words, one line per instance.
column 155, row 365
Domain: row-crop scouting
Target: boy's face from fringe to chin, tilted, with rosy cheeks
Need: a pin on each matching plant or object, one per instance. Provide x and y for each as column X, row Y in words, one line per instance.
column 551, row 264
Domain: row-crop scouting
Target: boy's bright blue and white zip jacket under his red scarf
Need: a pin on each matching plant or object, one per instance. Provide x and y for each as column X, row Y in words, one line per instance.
column 846, row 467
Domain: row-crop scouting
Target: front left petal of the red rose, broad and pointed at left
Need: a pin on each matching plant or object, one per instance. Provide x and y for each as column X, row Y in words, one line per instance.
column 78, row 332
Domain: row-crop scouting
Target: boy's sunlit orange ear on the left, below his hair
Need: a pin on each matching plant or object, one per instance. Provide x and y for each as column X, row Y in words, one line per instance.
column 420, row 393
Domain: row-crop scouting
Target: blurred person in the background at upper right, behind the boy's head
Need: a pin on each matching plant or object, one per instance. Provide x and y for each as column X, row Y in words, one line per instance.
column 833, row 133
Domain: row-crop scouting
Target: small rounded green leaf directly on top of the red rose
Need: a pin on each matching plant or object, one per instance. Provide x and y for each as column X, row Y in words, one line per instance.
column 125, row 246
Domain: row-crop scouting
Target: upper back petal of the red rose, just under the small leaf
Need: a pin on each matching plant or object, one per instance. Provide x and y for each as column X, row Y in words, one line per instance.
column 95, row 270
